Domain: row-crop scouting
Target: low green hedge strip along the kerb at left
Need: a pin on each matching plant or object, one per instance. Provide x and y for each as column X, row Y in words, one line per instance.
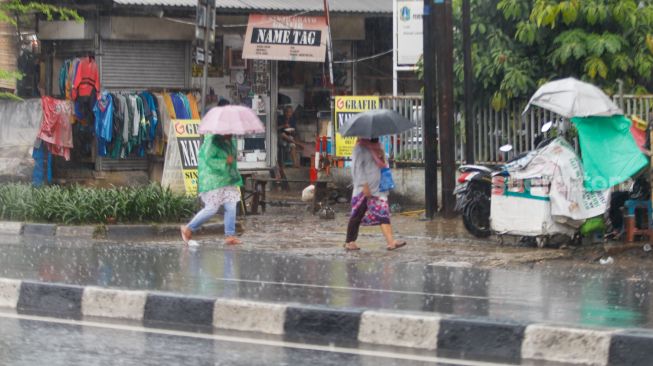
column 82, row 205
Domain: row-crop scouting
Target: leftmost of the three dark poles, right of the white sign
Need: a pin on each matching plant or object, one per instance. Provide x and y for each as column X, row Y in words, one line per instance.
column 430, row 121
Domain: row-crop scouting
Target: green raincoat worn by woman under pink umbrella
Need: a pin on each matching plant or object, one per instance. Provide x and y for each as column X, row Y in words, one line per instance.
column 214, row 172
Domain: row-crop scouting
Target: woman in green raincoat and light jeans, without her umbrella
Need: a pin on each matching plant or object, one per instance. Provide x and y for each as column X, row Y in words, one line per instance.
column 219, row 182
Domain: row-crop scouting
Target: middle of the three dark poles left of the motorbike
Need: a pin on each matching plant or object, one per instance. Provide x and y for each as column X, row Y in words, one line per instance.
column 444, row 49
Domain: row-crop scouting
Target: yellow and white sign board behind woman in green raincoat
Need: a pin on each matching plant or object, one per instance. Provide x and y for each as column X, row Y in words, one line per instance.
column 188, row 142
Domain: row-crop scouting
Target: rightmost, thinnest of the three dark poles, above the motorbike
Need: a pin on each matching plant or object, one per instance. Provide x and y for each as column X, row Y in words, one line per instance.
column 469, row 83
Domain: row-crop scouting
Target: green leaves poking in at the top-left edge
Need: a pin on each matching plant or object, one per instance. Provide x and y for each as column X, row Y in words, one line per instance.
column 12, row 10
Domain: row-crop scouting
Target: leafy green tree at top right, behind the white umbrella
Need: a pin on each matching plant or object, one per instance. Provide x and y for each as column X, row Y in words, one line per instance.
column 519, row 44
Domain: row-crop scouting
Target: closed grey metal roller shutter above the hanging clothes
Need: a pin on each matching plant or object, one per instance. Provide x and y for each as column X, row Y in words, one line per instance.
column 145, row 64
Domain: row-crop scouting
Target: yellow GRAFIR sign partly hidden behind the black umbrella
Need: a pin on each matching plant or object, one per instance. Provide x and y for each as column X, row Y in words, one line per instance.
column 346, row 107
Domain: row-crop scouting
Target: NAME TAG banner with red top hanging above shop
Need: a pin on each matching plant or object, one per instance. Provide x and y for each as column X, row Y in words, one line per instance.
column 286, row 38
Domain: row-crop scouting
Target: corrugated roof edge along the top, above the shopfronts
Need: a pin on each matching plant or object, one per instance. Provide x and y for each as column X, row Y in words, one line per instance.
column 336, row 6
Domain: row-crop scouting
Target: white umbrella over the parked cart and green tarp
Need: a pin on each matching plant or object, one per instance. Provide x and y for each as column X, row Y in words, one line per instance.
column 573, row 98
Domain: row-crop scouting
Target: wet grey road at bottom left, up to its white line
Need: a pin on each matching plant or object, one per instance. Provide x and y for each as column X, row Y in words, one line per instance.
column 32, row 341
